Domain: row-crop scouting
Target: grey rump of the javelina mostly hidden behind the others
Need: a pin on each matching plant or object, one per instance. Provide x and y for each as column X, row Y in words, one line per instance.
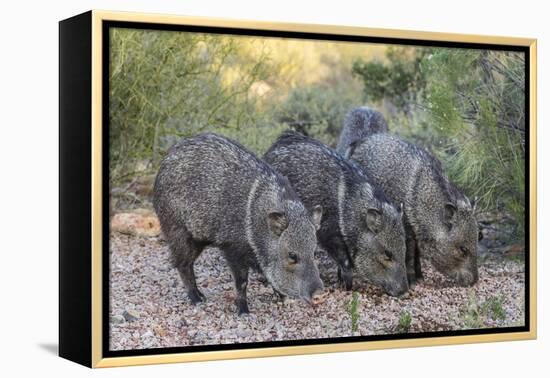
column 358, row 124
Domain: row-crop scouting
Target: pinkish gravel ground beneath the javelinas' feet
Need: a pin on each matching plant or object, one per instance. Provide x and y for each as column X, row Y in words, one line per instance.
column 150, row 309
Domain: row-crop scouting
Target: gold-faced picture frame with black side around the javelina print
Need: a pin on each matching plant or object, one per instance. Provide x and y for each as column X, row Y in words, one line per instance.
column 91, row 266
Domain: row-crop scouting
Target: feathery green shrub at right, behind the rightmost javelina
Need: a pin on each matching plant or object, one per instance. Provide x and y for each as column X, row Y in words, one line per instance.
column 477, row 107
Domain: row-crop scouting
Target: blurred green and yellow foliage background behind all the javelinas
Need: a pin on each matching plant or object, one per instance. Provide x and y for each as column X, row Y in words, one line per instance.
column 466, row 106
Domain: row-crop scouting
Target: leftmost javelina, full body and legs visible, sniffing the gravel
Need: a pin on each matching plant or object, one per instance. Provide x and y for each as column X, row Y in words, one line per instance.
column 211, row 191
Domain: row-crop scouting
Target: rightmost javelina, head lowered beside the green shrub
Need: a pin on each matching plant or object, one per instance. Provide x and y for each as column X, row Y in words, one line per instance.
column 439, row 219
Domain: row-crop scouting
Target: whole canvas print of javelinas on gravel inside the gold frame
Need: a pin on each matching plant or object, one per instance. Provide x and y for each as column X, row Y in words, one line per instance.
column 266, row 189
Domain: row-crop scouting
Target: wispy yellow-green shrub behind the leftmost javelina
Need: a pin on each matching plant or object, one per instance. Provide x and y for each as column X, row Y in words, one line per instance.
column 166, row 85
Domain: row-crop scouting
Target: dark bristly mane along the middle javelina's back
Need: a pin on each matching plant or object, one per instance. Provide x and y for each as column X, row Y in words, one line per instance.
column 290, row 137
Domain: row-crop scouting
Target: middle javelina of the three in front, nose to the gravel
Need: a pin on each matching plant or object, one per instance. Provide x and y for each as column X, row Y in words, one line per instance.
column 360, row 229
